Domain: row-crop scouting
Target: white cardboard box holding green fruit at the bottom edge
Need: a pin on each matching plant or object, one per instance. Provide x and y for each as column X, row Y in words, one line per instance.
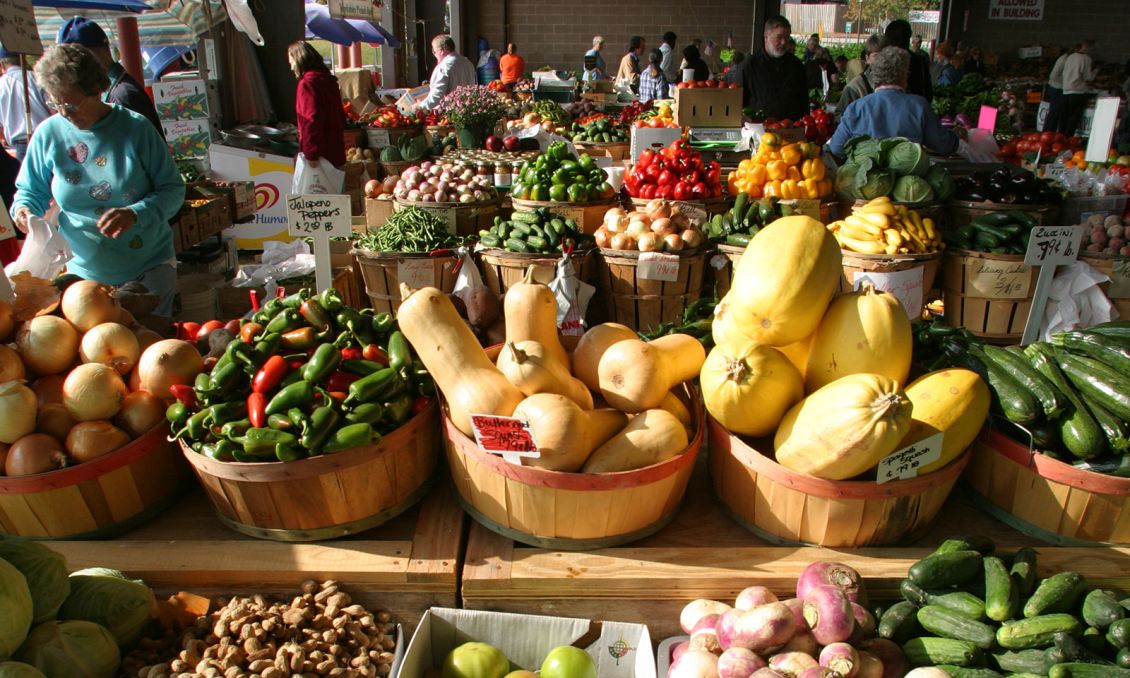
column 620, row 650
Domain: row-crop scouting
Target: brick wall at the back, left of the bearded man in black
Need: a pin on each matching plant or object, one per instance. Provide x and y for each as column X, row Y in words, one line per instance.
column 559, row 33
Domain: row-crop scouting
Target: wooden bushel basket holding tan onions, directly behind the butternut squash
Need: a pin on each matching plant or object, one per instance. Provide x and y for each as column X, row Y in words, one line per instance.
column 640, row 303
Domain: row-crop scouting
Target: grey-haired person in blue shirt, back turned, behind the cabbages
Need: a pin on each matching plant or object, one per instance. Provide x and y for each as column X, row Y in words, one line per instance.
column 891, row 112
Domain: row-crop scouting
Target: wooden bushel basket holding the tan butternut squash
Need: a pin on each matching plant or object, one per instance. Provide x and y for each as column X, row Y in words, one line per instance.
column 568, row 511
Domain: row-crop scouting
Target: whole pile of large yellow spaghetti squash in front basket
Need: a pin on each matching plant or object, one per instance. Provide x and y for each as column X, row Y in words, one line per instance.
column 825, row 377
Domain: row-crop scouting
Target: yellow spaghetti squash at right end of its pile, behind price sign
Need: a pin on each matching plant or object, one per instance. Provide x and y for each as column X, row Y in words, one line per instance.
column 954, row 403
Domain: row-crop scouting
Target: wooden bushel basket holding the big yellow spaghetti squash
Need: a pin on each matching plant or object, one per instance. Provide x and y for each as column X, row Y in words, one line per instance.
column 788, row 508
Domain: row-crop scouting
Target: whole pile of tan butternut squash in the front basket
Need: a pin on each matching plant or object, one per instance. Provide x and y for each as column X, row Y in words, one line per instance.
column 637, row 421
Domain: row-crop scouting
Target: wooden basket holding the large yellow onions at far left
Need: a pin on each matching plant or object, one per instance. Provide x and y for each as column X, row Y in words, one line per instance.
column 100, row 499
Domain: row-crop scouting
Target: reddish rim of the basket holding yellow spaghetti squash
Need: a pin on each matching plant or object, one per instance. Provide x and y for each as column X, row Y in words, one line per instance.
column 851, row 490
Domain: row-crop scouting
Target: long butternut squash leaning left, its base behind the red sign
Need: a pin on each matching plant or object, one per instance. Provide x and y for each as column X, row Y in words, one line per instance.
column 453, row 355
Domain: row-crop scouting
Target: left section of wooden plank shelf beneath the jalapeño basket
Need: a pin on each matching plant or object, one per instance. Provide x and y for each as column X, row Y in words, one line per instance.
column 404, row 567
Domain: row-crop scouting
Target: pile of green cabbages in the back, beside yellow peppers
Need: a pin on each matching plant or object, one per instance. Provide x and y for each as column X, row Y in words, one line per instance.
column 897, row 168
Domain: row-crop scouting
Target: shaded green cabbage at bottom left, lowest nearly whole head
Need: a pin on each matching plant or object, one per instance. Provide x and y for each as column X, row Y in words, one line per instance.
column 72, row 649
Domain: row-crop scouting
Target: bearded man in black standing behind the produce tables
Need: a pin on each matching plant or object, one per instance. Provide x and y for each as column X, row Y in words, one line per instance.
column 773, row 79
